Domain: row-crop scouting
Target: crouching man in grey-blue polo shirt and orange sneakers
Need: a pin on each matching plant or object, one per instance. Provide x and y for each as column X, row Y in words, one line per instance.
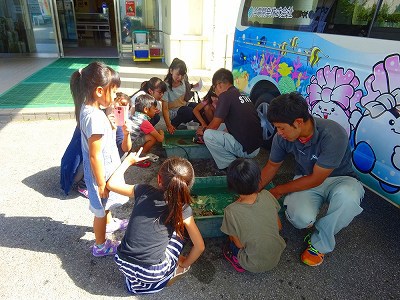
column 323, row 173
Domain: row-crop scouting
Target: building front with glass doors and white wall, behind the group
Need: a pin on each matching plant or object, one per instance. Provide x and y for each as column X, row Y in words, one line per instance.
column 198, row 31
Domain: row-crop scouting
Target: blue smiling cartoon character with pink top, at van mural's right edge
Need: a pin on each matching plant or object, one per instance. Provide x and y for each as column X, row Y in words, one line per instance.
column 377, row 126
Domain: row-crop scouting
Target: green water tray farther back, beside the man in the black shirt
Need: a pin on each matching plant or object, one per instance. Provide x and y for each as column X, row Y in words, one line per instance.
column 181, row 144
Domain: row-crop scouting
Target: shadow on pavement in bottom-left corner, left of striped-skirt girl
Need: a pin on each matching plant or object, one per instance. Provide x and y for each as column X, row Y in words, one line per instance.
column 98, row 276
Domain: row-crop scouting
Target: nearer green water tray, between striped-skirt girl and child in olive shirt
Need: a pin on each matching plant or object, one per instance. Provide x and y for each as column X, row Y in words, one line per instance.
column 210, row 196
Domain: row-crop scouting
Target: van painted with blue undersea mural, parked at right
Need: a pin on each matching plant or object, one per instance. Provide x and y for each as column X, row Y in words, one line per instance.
column 343, row 57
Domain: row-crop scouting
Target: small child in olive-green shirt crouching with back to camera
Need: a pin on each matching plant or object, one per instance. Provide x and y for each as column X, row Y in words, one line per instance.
column 252, row 221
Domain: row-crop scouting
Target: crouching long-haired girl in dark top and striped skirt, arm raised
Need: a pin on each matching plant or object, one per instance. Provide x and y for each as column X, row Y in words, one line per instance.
column 149, row 254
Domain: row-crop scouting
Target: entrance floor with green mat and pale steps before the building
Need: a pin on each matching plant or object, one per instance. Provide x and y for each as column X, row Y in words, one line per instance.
column 38, row 88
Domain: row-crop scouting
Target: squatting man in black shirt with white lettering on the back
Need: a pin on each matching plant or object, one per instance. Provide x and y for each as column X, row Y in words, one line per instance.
column 243, row 134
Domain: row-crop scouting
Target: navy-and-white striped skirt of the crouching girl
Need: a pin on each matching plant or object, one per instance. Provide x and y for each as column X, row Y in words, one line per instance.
column 151, row 278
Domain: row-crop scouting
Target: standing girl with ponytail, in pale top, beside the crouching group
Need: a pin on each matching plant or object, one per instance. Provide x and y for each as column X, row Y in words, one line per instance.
column 93, row 88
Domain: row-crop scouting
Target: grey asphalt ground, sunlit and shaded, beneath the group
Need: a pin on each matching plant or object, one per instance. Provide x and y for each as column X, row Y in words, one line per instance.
column 45, row 239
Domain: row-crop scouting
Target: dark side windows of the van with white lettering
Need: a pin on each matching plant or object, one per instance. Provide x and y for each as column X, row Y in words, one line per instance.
column 344, row 17
